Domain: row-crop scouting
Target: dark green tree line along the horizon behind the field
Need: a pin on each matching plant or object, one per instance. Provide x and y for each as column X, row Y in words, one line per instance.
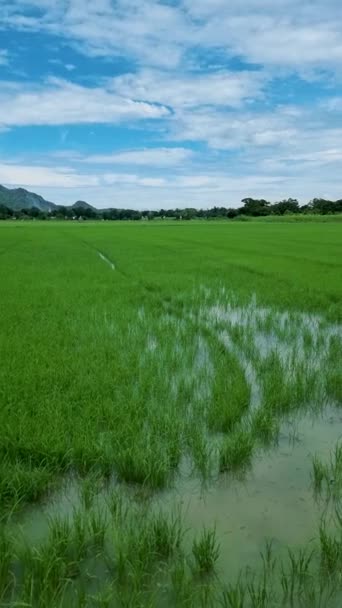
column 250, row 207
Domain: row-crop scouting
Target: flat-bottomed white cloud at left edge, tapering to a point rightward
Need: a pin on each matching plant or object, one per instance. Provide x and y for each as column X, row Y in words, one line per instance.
column 60, row 102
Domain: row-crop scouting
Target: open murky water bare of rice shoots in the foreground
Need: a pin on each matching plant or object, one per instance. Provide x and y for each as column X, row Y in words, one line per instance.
column 273, row 502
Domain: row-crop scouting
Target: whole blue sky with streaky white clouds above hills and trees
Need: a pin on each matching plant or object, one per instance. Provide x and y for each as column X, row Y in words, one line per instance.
column 147, row 104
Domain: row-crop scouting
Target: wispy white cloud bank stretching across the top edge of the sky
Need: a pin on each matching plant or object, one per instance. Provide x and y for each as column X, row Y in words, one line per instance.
column 283, row 33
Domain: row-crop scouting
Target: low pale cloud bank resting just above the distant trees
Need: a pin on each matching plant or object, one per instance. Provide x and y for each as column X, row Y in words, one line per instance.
column 200, row 191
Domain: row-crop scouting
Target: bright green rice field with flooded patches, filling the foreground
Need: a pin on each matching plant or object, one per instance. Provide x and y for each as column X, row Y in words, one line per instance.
column 170, row 414
